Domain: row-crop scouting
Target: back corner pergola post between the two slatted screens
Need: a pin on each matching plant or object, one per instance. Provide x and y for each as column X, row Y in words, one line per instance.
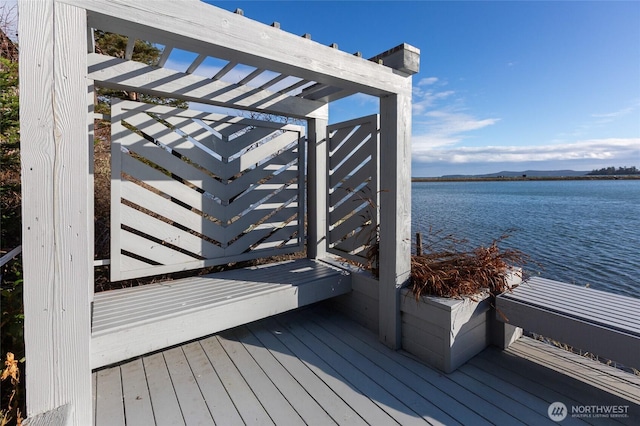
column 317, row 188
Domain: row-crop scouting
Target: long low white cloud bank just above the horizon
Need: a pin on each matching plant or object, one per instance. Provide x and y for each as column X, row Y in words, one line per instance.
column 611, row 149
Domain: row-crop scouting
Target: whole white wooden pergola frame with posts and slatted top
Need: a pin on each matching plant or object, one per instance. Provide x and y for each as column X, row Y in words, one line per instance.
column 58, row 70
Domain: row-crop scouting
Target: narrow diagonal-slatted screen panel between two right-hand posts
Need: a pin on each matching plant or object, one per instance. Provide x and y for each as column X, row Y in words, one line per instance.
column 353, row 187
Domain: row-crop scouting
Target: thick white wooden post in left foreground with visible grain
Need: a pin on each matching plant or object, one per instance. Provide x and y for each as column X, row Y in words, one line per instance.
column 58, row 252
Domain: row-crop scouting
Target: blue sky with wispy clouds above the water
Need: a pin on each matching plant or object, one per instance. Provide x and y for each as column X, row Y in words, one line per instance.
column 503, row 85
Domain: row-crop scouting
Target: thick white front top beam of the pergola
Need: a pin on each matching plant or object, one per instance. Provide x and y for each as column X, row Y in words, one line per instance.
column 203, row 29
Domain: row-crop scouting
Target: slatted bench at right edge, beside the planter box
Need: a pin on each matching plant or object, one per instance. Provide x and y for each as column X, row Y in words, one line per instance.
column 605, row 324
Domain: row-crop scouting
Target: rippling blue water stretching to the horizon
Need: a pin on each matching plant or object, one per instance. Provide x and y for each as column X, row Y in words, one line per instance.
column 582, row 232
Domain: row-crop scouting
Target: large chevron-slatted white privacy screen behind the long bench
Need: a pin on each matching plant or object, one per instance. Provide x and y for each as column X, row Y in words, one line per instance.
column 192, row 189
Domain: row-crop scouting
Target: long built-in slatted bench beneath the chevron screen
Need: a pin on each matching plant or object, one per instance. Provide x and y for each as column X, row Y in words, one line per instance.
column 138, row 320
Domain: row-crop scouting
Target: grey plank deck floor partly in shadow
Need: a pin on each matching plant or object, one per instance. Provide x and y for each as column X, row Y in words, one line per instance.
column 314, row 366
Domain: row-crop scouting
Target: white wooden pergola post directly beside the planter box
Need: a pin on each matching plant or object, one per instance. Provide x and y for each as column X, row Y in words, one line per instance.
column 395, row 211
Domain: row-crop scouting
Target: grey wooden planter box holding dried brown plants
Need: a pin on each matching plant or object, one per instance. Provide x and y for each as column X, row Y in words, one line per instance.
column 445, row 332
